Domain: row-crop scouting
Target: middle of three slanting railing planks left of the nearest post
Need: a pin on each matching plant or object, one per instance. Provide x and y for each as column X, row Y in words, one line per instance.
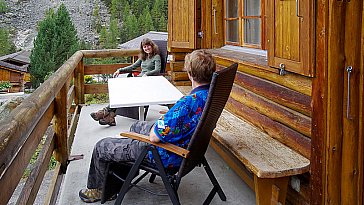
column 31, row 187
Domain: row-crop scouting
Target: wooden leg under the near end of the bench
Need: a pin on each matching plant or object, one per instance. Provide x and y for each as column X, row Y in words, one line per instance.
column 270, row 191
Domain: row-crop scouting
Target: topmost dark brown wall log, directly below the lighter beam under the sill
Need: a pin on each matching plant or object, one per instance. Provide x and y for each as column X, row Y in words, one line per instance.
column 277, row 93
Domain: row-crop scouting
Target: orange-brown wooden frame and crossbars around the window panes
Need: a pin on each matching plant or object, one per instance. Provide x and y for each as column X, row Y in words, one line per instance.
column 241, row 18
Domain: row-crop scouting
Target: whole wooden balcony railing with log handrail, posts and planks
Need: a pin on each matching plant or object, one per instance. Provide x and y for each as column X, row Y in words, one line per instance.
column 22, row 131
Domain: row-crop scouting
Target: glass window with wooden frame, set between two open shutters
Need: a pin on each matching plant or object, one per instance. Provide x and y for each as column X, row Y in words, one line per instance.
column 245, row 23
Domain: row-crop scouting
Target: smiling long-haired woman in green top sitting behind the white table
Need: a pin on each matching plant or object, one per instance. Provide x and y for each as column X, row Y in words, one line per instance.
column 150, row 63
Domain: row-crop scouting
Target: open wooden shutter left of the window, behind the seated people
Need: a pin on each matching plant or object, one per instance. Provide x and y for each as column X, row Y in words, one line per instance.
column 182, row 24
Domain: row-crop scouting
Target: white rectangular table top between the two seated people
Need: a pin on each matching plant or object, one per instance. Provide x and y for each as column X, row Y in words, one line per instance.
column 140, row 91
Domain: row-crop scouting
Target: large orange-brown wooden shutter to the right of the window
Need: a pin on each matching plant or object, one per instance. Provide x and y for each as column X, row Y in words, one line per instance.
column 291, row 35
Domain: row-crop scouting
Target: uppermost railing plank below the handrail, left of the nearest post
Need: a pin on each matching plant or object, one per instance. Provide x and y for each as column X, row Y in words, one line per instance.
column 21, row 154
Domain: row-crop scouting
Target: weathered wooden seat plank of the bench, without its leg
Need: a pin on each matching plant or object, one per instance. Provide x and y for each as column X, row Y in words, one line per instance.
column 260, row 153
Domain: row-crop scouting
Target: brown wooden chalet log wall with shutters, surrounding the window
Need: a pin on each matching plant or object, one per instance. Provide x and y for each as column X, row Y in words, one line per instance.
column 305, row 108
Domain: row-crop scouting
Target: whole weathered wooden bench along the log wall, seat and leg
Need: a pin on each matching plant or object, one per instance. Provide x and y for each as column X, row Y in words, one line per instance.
column 271, row 162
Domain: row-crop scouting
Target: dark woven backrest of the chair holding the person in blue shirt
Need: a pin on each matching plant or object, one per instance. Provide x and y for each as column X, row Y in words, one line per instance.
column 220, row 87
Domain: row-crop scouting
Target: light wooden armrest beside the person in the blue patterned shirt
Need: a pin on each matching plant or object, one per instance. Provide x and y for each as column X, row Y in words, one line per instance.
column 167, row 146
